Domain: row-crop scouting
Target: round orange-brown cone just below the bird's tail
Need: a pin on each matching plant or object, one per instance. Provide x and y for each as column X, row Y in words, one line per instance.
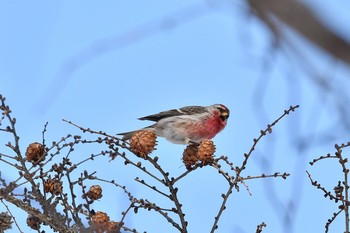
column 143, row 142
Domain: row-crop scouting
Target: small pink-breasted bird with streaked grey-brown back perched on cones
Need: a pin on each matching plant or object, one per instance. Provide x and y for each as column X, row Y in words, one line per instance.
column 190, row 124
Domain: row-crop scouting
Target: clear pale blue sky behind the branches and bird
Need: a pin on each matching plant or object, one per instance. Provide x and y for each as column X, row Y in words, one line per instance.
column 104, row 65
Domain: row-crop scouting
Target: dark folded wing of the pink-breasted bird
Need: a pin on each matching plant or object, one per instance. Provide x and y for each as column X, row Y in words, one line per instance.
column 189, row 110
